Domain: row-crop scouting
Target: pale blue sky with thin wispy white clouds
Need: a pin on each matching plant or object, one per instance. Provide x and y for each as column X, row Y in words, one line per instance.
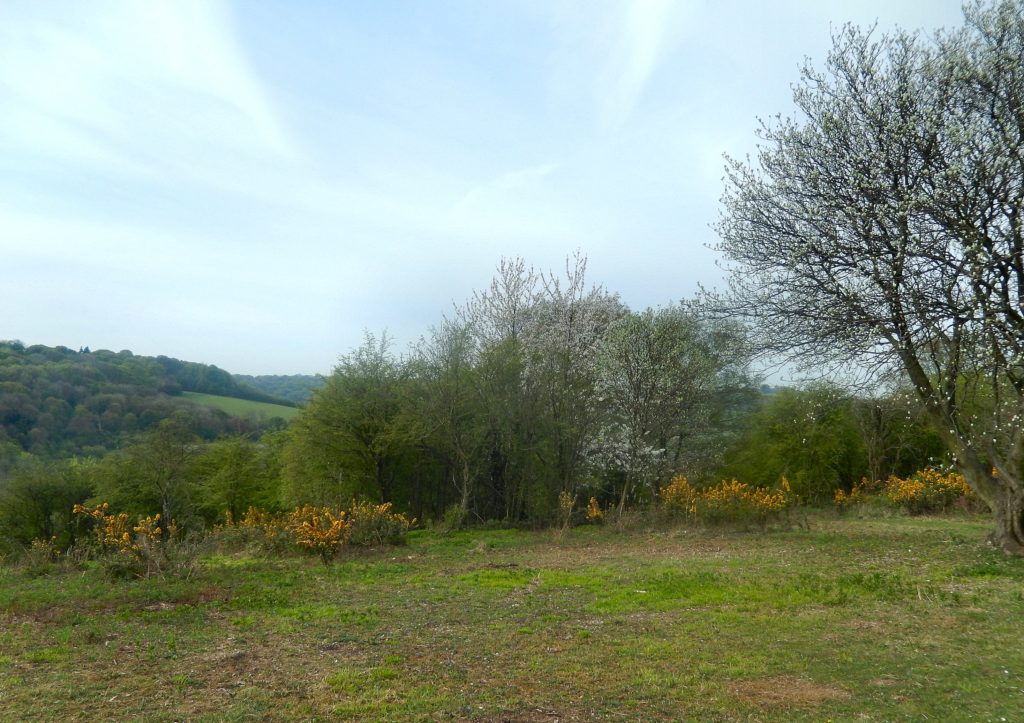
column 254, row 185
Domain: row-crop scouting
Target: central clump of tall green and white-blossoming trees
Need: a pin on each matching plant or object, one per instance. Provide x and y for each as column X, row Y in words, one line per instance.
column 529, row 391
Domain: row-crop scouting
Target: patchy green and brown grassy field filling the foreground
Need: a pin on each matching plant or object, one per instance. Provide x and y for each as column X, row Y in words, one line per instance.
column 890, row 619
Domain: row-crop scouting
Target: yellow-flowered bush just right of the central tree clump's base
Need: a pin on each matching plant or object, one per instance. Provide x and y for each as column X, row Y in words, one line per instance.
column 730, row 501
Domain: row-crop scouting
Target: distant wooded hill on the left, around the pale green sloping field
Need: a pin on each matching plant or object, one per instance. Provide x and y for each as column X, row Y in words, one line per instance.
column 56, row 402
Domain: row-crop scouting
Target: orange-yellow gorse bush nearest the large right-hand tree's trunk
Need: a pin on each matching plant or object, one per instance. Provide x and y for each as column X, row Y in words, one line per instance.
column 926, row 491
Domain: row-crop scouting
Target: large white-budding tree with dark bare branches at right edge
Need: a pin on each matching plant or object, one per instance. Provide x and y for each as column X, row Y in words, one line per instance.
column 882, row 227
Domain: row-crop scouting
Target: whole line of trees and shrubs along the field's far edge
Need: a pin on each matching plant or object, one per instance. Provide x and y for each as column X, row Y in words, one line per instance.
column 539, row 388
